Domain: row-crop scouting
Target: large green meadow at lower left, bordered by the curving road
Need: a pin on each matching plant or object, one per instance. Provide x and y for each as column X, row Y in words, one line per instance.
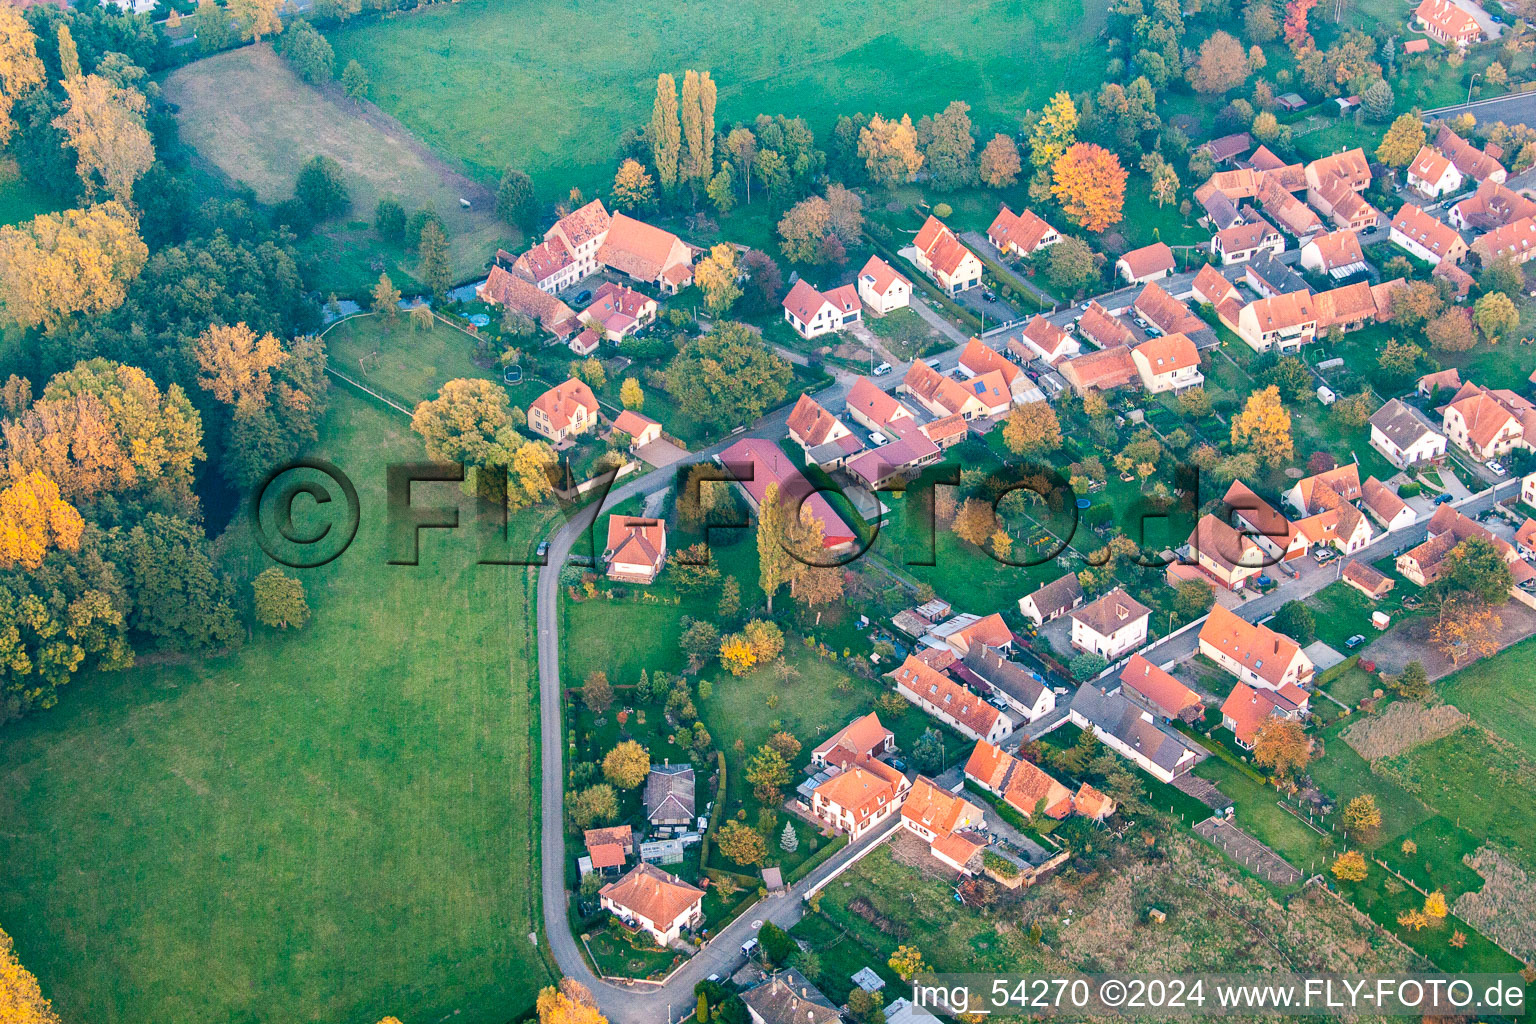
column 328, row 825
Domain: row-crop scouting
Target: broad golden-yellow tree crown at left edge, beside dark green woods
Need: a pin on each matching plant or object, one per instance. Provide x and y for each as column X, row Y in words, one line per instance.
column 61, row 266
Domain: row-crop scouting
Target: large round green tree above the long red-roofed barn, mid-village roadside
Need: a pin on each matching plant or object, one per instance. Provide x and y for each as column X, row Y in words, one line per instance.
column 727, row 375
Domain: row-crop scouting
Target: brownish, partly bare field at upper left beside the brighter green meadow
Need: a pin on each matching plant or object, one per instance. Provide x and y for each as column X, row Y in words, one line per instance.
column 247, row 113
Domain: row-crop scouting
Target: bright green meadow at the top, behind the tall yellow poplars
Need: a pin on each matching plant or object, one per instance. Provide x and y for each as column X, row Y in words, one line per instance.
column 446, row 71
